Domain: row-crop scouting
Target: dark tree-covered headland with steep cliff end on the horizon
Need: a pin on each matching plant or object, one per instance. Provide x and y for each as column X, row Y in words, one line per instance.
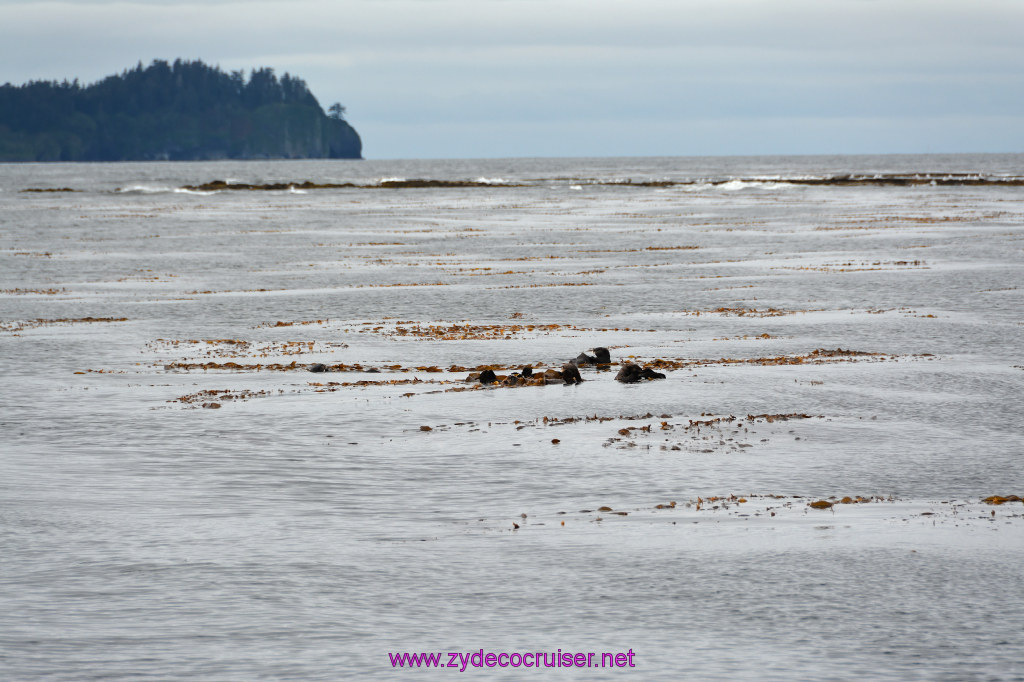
column 185, row 111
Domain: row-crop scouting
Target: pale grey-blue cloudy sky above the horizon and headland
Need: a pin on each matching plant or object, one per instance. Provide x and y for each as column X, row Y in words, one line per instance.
column 553, row 78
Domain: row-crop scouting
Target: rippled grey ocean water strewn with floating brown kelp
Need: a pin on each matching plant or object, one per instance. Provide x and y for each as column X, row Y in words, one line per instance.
column 181, row 498
